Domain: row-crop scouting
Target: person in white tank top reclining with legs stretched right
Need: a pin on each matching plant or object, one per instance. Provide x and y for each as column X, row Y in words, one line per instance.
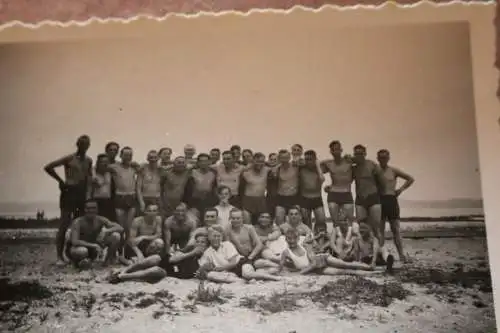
column 299, row 259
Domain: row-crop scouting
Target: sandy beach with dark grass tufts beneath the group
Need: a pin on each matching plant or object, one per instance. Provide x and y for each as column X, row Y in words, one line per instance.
column 446, row 289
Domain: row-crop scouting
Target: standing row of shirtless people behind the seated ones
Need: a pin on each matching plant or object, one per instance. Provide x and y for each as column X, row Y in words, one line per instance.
column 255, row 185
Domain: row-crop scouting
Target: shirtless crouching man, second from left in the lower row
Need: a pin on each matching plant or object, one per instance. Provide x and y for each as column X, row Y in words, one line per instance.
column 145, row 235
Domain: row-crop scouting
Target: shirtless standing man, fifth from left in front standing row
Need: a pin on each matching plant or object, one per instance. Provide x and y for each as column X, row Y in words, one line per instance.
column 173, row 186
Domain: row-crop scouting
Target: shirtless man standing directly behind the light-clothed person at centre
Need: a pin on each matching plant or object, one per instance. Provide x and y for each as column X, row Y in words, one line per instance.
column 229, row 175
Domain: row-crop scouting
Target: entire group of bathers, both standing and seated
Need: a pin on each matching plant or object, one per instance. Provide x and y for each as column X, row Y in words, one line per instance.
column 227, row 215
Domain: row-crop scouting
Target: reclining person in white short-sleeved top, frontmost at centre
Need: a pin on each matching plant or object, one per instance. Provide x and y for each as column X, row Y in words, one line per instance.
column 222, row 263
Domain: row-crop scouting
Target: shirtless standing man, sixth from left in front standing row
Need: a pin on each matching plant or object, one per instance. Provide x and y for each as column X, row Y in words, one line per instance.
column 201, row 187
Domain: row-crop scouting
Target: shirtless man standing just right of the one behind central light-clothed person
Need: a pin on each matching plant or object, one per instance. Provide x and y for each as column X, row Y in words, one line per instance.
column 253, row 184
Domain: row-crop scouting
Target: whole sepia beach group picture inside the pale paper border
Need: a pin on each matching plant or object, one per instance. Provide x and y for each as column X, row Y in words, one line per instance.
column 243, row 173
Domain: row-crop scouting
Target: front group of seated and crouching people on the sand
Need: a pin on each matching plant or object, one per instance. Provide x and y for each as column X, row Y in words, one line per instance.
column 177, row 247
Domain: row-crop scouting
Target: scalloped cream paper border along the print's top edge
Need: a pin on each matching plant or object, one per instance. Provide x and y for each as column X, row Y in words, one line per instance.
column 93, row 20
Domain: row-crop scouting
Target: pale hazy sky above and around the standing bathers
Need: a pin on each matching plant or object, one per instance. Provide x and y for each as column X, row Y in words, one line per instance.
column 263, row 86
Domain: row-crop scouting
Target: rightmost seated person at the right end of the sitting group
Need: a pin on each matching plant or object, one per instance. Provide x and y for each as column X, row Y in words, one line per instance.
column 366, row 249
